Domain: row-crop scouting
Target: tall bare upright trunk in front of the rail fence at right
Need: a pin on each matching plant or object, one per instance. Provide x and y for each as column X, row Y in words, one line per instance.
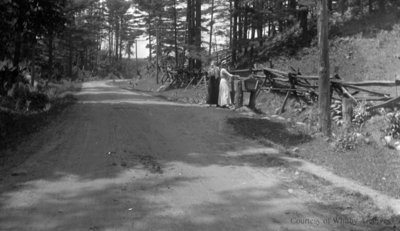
column 324, row 83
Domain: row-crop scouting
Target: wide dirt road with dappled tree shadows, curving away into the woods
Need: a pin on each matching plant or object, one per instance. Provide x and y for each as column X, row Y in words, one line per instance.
column 120, row 160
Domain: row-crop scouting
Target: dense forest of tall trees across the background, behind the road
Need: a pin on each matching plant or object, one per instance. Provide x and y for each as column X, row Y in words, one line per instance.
column 63, row 39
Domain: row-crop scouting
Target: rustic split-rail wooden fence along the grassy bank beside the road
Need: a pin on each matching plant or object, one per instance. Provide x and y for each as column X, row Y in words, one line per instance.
column 297, row 85
